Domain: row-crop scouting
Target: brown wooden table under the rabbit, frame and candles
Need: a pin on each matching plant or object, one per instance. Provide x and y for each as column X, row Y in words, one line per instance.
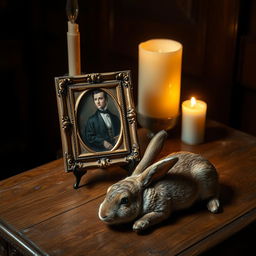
column 41, row 213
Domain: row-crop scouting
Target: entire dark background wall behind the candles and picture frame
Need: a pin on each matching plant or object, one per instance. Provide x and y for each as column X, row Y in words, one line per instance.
column 218, row 37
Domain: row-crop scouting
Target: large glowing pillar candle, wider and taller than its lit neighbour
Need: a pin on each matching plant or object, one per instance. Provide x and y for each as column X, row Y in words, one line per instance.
column 159, row 78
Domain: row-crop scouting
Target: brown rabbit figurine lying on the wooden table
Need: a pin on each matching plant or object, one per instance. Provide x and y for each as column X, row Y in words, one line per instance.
column 154, row 191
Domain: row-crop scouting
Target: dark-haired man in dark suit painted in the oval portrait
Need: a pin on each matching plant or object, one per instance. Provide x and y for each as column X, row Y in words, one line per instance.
column 103, row 127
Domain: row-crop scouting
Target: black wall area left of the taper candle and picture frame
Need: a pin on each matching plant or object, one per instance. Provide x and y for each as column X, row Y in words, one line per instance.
column 33, row 51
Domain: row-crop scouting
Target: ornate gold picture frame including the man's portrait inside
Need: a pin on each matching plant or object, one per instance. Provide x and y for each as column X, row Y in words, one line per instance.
column 97, row 121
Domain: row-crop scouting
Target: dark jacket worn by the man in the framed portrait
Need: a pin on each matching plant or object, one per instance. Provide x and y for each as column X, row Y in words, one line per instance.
column 96, row 131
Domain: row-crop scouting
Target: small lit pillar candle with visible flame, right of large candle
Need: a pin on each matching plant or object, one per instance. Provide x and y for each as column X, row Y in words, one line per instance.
column 193, row 121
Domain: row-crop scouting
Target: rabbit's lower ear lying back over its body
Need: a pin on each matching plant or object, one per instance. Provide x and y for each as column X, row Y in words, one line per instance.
column 157, row 171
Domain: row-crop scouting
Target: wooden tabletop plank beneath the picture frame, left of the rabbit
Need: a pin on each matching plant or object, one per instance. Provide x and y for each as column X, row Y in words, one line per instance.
column 47, row 191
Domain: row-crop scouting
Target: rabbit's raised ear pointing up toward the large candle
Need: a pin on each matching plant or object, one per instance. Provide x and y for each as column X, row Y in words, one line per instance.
column 153, row 149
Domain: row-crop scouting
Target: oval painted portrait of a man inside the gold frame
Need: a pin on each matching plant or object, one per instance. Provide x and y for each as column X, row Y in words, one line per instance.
column 98, row 120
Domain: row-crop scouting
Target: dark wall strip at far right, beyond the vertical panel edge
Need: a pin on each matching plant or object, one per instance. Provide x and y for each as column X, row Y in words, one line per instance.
column 244, row 93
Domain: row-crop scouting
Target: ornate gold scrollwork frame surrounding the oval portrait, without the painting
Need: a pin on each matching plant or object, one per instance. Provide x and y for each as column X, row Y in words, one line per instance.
column 71, row 94
